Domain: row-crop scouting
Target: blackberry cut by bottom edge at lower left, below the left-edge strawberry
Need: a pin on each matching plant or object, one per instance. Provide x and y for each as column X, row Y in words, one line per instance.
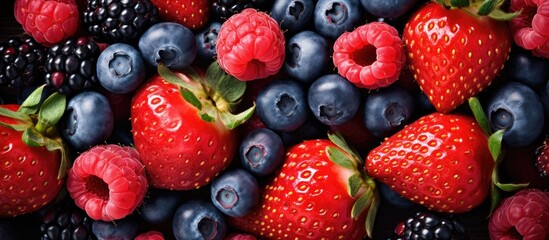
column 65, row 221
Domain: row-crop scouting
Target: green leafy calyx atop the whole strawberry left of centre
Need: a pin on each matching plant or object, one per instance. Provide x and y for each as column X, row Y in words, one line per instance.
column 216, row 95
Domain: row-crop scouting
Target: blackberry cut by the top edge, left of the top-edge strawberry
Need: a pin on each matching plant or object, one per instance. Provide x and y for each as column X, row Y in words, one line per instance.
column 119, row 20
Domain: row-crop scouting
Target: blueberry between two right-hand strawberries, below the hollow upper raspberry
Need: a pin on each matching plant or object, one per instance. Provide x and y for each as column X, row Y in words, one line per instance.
column 388, row 110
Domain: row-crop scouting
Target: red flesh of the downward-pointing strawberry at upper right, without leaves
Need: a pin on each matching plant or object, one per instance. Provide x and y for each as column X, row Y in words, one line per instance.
column 454, row 54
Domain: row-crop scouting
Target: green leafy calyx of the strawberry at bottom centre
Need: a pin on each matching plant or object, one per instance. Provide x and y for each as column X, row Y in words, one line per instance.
column 359, row 185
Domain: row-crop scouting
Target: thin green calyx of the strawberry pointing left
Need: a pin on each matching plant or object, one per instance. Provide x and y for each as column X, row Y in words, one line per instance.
column 495, row 146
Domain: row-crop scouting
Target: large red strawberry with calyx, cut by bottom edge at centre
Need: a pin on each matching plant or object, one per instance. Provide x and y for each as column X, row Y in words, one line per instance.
column 319, row 193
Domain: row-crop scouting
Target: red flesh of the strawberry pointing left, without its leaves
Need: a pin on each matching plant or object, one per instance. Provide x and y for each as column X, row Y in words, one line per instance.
column 441, row 161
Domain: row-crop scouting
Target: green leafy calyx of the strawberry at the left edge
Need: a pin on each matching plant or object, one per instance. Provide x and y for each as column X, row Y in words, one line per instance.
column 38, row 120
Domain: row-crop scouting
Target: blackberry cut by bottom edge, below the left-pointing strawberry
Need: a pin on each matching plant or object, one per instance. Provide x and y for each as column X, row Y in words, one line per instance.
column 430, row 226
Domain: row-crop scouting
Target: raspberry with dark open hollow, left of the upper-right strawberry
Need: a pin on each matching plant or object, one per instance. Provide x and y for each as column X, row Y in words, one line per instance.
column 371, row 56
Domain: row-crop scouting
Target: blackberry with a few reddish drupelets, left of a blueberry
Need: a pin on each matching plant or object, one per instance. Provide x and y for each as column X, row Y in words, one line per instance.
column 70, row 65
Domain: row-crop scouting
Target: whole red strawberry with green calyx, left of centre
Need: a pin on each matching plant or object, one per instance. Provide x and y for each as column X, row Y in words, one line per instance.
column 182, row 126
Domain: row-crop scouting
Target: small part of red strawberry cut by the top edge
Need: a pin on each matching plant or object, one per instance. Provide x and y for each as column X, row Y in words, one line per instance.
column 193, row 14
